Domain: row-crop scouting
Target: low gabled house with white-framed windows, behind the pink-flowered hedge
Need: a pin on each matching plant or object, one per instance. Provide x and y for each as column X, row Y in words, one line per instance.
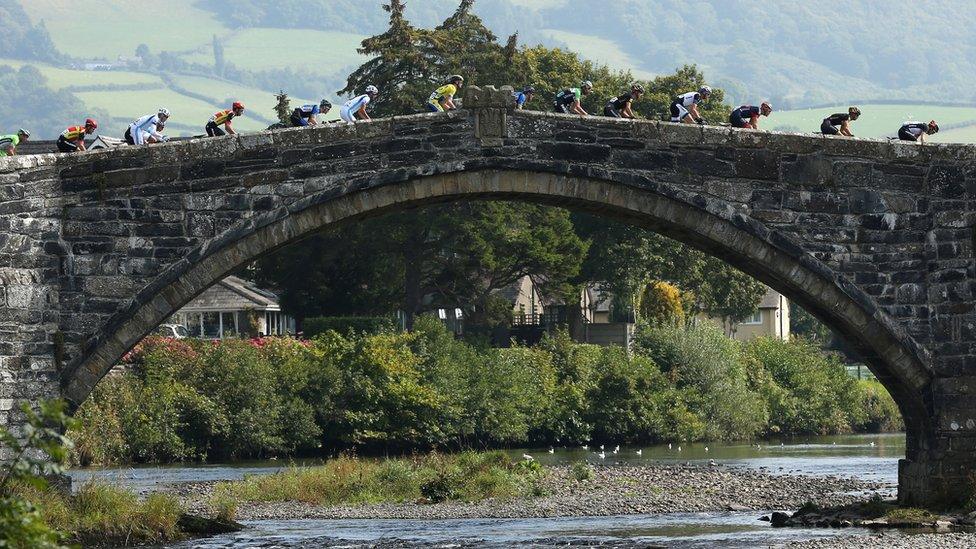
column 232, row 308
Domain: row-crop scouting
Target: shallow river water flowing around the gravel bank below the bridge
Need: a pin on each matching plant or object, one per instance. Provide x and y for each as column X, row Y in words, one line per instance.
column 868, row 457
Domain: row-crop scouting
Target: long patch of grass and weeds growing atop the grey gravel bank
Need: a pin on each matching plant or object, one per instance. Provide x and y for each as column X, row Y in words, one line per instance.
column 467, row 476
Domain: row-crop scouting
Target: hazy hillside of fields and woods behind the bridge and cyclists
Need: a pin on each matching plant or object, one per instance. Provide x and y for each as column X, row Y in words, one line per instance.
column 788, row 53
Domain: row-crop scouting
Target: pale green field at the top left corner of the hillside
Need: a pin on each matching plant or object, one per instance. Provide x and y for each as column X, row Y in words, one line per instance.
column 117, row 27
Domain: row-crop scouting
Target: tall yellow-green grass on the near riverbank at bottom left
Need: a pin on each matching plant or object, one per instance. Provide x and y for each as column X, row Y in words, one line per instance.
column 108, row 515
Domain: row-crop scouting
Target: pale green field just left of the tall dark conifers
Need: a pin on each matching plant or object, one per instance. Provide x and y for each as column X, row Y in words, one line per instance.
column 320, row 52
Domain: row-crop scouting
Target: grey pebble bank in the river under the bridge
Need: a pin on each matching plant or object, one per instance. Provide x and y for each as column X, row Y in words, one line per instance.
column 617, row 490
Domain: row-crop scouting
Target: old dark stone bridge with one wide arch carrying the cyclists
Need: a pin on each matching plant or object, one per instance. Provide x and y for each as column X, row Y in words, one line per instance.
column 875, row 238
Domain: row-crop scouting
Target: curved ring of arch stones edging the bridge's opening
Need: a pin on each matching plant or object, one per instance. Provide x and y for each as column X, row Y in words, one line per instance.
column 770, row 256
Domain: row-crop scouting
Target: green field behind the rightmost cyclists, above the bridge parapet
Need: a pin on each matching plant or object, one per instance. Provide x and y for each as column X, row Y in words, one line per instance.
column 877, row 120
